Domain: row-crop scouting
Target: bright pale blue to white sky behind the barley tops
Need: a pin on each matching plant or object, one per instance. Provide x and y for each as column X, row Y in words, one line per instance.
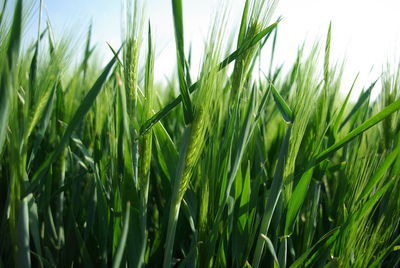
column 365, row 33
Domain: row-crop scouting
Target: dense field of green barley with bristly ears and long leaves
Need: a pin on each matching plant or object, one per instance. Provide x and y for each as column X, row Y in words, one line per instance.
column 101, row 166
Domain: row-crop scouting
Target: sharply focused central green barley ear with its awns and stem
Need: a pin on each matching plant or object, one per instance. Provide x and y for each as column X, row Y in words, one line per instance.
column 204, row 102
